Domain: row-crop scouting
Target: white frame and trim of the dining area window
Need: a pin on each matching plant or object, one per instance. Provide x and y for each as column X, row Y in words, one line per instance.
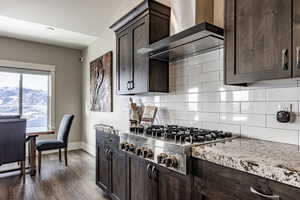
column 39, row 68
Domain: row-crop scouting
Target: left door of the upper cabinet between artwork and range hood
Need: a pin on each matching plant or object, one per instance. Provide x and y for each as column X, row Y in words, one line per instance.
column 124, row 66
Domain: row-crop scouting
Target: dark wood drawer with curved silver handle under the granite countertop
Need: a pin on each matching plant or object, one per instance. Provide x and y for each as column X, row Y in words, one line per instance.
column 218, row 183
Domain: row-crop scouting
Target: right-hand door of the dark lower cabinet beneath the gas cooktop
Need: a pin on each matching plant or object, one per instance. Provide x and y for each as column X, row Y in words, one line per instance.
column 173, row 186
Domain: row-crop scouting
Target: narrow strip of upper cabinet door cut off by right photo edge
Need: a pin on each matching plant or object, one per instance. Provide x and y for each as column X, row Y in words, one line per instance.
column 296, row 38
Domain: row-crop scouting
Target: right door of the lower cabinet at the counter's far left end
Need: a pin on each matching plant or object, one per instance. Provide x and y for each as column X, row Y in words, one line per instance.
column 119, row 175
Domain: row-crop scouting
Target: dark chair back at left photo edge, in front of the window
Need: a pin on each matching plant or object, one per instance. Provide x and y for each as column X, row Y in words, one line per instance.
column 12, row 140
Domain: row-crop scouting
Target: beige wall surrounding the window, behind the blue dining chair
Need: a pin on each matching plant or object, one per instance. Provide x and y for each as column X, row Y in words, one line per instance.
column 67, row 75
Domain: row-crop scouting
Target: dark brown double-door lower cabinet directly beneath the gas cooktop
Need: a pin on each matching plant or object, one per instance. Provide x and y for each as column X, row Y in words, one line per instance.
column 152, row 182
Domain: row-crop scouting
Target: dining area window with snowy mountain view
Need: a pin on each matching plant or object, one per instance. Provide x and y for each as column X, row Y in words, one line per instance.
column 27, row 93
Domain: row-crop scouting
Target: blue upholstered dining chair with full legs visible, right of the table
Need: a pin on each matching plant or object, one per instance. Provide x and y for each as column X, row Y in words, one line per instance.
column 56, row 144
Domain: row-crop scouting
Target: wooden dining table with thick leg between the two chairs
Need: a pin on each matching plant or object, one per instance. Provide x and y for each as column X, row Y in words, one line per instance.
column 31, row 138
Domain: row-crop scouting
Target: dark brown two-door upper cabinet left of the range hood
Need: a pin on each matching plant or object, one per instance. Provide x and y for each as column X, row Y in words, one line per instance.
column 144, row 25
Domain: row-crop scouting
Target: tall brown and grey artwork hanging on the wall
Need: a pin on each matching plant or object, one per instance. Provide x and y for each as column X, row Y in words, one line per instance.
column 101, row 83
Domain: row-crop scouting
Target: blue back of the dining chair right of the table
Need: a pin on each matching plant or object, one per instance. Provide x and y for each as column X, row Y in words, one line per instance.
column 64, row 128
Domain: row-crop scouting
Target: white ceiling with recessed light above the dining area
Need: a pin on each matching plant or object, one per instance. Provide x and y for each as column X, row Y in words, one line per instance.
column 69, row 23
